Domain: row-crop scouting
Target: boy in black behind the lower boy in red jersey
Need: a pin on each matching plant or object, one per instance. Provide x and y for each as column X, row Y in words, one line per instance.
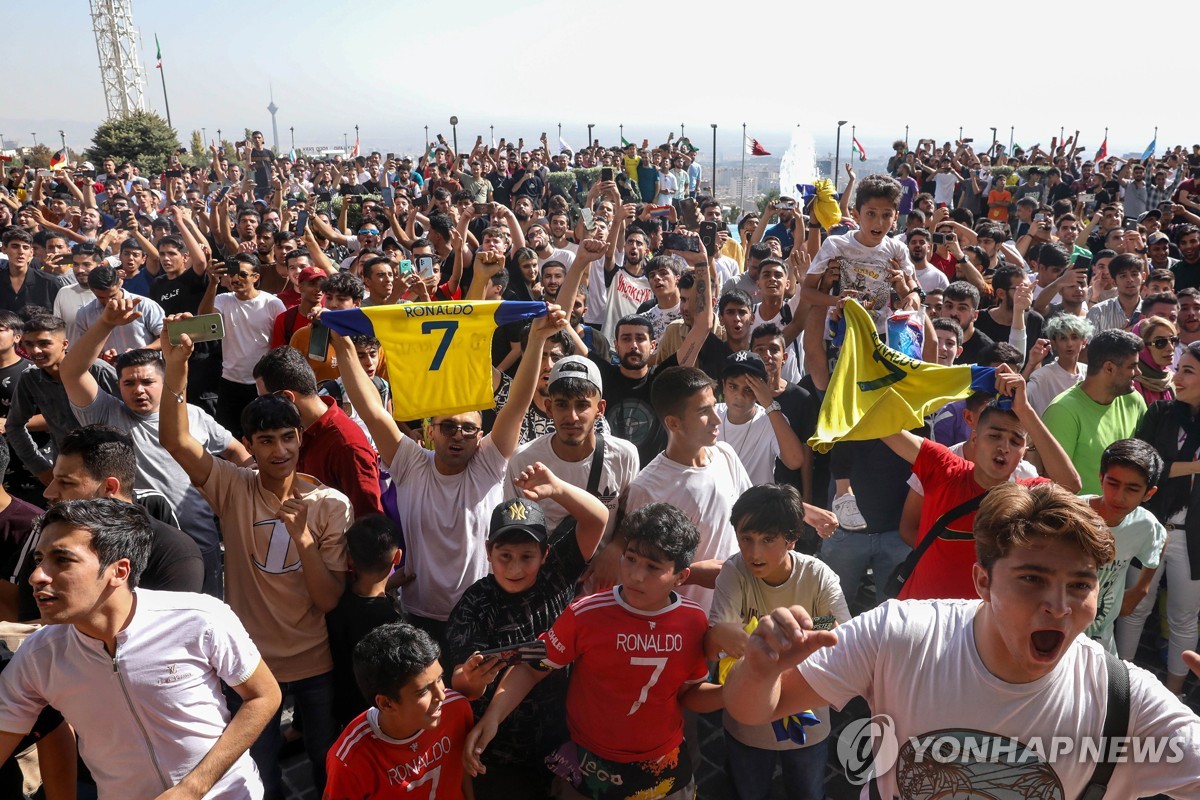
column 373, row 551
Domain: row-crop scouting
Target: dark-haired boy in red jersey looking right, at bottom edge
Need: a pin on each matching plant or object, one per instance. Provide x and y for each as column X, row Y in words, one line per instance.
column 410, row 743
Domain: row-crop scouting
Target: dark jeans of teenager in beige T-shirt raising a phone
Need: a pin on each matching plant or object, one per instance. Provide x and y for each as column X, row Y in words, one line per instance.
column 315, row 701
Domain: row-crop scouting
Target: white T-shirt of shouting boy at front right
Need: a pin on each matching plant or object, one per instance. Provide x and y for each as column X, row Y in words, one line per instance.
column 917, row 663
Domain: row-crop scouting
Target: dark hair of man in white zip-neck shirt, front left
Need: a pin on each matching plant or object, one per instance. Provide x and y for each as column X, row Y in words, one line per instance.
column 119, row 531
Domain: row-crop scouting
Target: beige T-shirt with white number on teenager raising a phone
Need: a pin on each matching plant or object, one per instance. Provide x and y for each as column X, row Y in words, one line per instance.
column 265, row 582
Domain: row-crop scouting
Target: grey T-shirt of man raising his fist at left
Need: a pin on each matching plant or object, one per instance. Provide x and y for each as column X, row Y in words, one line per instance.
column 157, row 468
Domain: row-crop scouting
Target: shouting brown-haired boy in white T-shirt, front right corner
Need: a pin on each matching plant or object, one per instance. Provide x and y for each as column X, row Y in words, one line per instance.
column 1009, row 667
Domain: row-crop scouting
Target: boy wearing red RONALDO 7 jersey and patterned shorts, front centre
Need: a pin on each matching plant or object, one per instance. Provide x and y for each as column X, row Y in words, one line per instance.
column 639, row 660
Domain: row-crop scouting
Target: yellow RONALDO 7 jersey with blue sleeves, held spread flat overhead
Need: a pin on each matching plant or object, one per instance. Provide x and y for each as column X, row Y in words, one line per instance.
column 440, row 354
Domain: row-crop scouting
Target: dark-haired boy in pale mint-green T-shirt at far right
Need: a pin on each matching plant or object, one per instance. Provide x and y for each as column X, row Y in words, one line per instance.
column 1130, row 473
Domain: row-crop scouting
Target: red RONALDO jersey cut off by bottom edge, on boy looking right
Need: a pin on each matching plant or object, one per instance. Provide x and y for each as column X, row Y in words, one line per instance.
column 367, row 763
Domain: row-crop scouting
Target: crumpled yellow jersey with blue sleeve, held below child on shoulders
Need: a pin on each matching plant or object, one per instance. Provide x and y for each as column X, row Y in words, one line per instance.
column 877, row 392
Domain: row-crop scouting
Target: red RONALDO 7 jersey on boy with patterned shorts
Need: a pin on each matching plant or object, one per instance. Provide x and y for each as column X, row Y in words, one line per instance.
column 622, row 702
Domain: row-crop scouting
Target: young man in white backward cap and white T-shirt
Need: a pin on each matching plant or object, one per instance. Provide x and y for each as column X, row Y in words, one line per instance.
column 577, row 402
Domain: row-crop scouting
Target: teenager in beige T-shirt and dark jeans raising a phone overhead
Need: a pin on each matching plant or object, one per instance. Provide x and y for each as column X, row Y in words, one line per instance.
column 285, row 555
